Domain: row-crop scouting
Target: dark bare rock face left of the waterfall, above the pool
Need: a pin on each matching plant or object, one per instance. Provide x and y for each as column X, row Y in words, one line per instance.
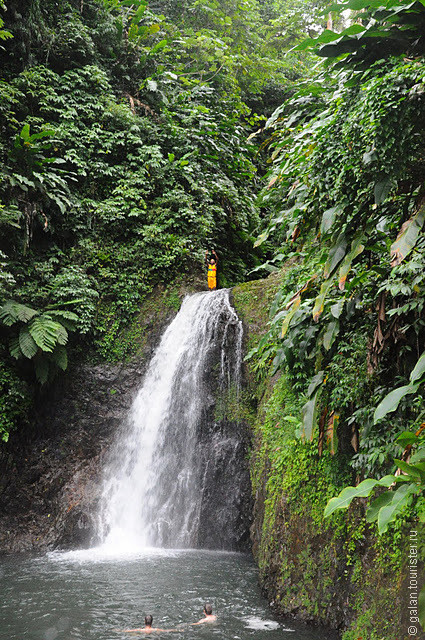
column 51, row 479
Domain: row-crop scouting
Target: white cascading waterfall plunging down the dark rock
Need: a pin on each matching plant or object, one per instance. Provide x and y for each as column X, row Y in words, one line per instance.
column 156, row 480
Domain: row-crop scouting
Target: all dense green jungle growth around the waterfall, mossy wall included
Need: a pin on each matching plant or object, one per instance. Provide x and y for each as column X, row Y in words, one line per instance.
column 290, row 138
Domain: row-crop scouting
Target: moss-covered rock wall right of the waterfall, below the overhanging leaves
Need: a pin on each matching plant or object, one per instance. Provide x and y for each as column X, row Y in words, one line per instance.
column 337, row 571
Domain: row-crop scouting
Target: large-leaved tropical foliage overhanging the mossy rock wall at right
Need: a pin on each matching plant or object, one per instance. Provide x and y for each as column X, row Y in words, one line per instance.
column 346, row 202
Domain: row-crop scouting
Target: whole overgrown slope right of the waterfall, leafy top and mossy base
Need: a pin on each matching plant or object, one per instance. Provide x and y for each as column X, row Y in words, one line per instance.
column 346, row 331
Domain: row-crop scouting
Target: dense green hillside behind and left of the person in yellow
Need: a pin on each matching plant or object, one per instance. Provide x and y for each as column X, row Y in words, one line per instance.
column 124, row 157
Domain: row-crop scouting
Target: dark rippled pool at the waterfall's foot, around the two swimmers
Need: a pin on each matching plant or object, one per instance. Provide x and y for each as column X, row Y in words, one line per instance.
column 88, row 595
